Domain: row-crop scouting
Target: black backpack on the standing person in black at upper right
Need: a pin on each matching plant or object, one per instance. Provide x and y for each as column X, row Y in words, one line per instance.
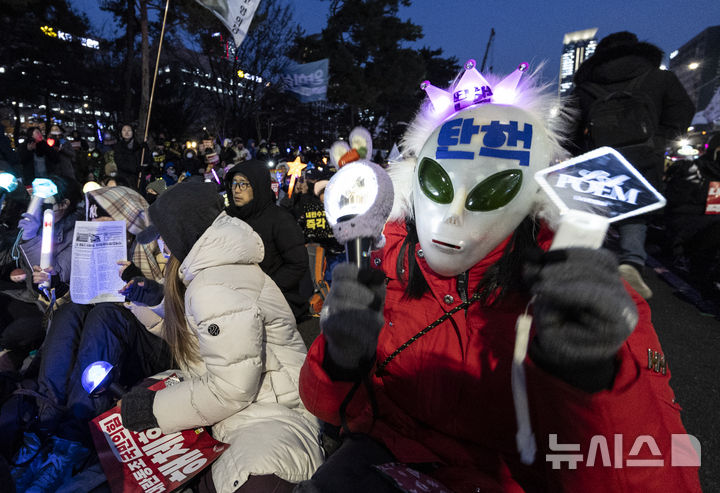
column 620, row 118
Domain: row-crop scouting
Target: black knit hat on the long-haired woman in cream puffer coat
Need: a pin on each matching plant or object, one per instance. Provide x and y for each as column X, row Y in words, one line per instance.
column 181, row 215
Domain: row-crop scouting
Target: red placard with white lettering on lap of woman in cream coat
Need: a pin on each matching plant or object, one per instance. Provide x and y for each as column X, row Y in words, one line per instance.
column 149, row 461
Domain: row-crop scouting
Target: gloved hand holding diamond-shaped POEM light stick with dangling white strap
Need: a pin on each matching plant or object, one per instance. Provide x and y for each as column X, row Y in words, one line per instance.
column 582, row 312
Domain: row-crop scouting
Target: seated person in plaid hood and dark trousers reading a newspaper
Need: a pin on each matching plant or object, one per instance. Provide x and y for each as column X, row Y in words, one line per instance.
column 125, row 336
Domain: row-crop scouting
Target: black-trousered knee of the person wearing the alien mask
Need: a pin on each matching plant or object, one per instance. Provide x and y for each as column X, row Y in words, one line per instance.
column 349, row 469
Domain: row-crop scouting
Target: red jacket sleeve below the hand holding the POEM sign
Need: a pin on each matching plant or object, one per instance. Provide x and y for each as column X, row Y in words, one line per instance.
column 626, row 438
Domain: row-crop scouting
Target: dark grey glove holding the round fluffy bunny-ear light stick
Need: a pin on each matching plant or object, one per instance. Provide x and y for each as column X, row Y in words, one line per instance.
column 351, row 319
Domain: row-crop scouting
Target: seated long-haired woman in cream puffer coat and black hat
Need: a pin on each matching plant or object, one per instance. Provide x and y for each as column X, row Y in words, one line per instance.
column 235, row 339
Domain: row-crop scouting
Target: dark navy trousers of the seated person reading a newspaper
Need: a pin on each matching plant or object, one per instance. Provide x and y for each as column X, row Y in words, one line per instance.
column 80, row 335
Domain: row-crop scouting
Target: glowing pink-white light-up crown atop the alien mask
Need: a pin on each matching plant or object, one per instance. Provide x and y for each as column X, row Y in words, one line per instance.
column 472, row 89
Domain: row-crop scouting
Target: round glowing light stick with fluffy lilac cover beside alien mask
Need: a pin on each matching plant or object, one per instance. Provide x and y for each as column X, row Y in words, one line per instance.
column 358, row 201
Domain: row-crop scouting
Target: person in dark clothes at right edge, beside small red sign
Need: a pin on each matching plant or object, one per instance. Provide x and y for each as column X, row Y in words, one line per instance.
column 693, row 220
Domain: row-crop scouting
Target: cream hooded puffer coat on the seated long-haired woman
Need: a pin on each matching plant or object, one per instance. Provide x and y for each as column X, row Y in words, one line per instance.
column 246, row 385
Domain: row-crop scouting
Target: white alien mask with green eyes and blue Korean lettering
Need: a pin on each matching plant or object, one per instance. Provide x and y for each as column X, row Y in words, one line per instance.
column 474, row 184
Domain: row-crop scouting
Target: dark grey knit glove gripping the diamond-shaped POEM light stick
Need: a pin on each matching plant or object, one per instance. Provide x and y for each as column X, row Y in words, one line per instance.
column 582, row 315
